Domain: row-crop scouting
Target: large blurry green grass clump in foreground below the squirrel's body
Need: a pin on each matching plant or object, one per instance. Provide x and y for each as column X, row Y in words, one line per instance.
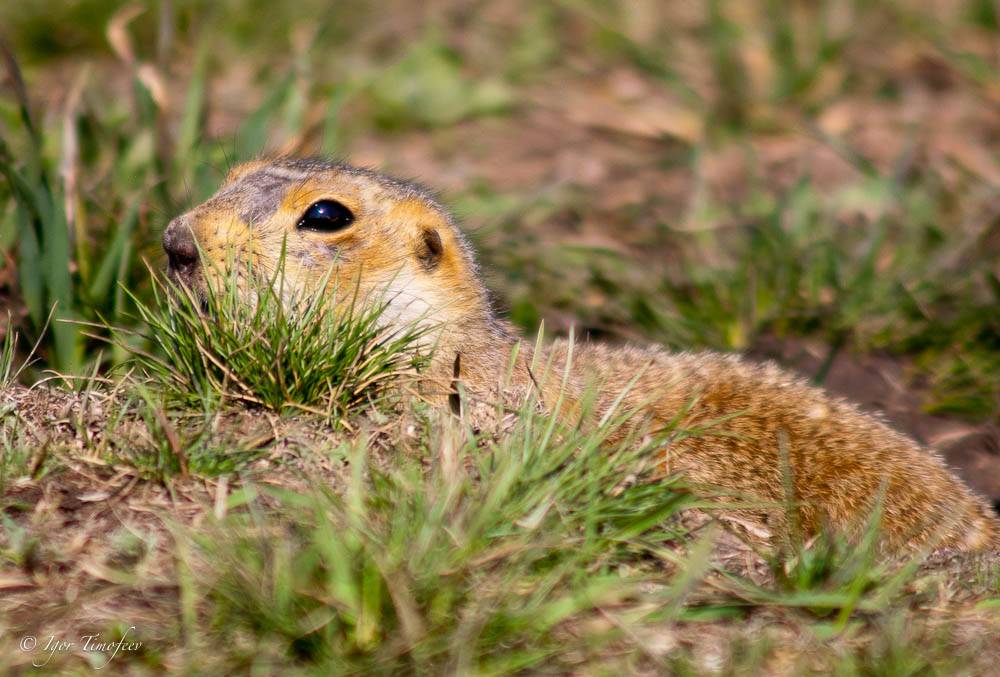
column 473, row 565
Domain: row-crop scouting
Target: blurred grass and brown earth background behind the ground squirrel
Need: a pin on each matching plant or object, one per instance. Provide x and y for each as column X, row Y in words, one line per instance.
column 812, row 181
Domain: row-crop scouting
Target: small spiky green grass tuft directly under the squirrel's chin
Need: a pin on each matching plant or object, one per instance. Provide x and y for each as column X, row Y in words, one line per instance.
column 310, row 355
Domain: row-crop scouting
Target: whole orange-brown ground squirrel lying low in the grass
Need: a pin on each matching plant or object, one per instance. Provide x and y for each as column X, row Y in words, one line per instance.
column 771, row 430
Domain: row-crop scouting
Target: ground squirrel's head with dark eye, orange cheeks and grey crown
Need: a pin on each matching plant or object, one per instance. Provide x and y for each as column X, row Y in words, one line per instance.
column 353, row 228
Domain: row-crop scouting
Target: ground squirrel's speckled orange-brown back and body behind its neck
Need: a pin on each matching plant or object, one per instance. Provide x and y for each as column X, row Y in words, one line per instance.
column 764, row 434
